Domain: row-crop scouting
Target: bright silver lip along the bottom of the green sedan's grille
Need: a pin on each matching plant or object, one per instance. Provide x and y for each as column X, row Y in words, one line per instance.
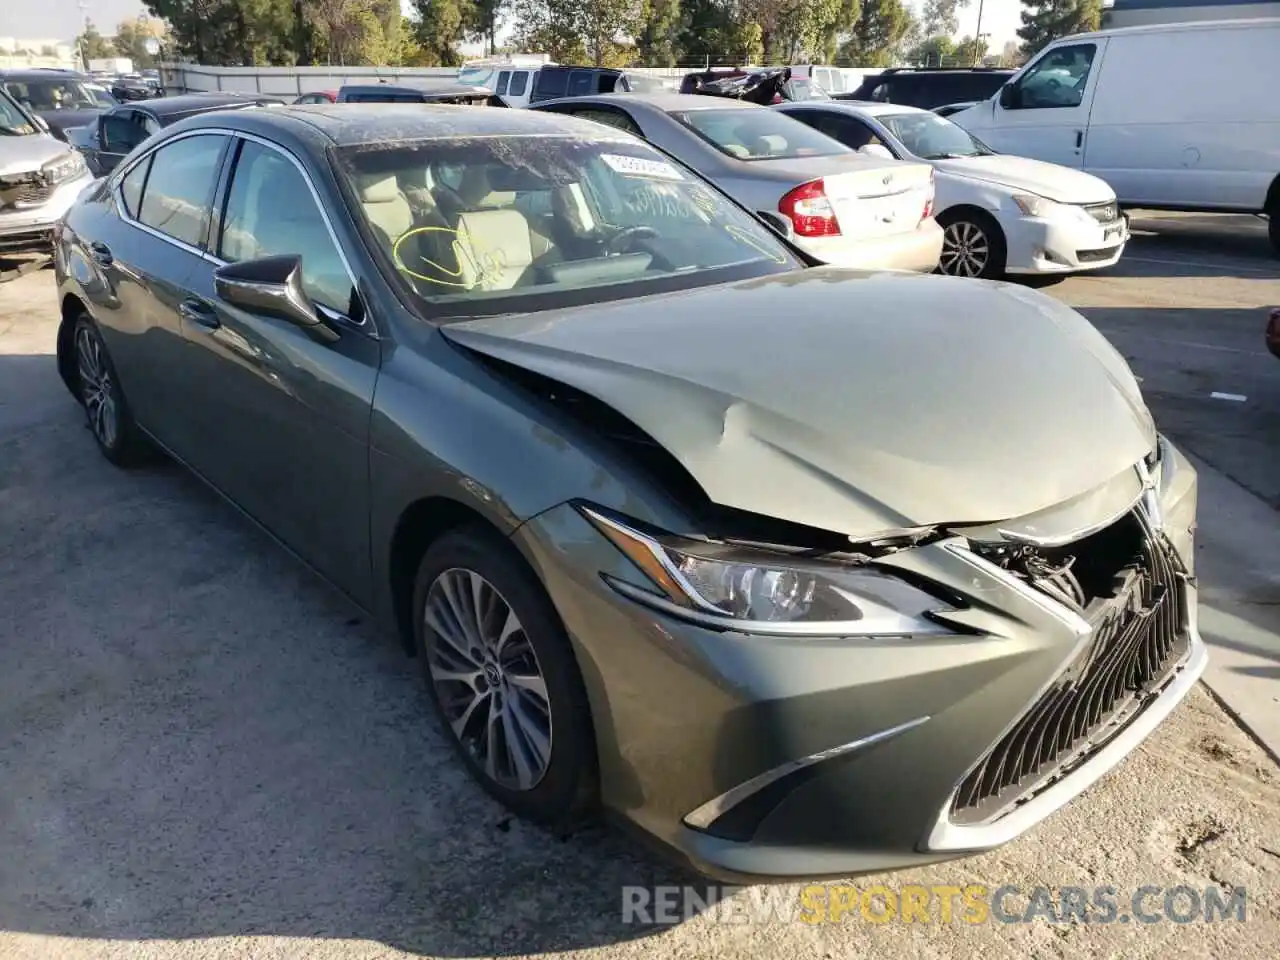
column 953, row 838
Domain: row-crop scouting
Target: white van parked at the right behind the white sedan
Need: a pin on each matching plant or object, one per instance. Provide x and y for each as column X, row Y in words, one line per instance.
column 1128, row 106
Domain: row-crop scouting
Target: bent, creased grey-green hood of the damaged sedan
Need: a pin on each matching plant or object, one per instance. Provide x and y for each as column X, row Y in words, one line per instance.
column 853, row 403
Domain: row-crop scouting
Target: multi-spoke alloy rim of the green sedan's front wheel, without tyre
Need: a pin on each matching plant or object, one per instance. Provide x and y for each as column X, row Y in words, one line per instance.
column 488, row 680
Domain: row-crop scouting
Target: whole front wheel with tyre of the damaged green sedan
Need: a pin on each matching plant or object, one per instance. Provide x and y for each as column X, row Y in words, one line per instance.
column 504, row 678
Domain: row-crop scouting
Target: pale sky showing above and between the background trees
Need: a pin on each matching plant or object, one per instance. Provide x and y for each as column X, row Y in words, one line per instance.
column 62, row 20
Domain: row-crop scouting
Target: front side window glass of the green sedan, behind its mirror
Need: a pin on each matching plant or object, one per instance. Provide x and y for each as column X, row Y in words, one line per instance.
column 271, row 212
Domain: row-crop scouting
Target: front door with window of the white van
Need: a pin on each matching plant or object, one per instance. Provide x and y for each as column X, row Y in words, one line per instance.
column 1045, row 112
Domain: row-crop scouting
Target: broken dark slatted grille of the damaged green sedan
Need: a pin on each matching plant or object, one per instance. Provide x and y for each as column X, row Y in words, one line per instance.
column 1140, row 636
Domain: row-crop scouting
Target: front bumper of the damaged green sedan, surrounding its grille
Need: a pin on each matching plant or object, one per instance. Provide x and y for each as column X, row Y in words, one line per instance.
column 780, row 758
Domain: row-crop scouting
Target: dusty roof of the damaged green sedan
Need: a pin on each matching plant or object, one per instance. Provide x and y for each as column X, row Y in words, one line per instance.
column 350, row 125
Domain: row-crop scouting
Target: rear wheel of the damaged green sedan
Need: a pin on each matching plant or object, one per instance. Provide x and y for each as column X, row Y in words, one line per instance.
column 98, row 388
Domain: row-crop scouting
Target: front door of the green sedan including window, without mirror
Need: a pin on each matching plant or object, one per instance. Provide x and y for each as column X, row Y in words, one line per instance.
column 286, row 415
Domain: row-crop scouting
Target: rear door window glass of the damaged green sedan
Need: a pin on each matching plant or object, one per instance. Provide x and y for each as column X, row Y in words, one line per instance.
column 181, row 188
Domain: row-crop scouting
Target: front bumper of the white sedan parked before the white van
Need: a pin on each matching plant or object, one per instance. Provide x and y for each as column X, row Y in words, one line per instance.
column 1052, row 246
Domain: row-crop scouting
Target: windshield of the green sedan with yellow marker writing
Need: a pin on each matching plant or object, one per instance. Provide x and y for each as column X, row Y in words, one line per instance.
column 524, row 223
